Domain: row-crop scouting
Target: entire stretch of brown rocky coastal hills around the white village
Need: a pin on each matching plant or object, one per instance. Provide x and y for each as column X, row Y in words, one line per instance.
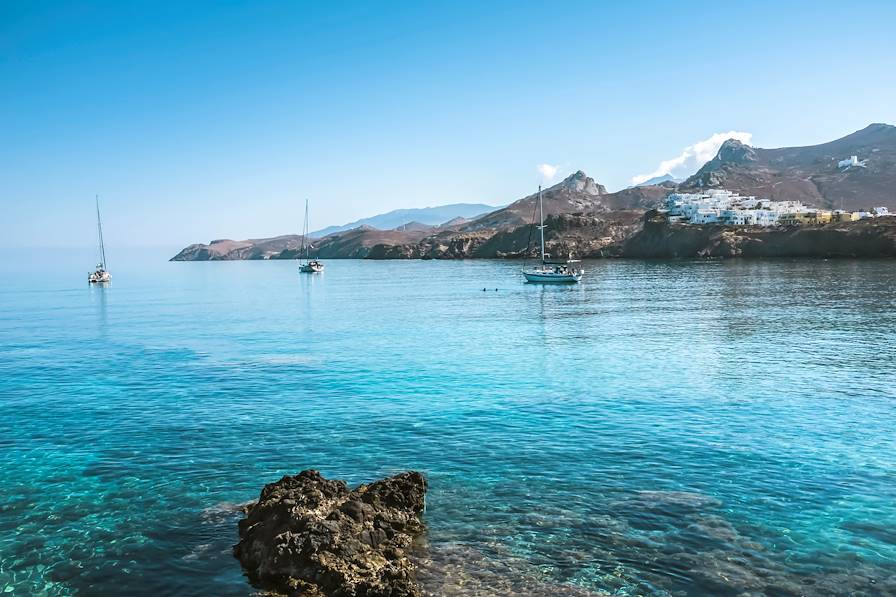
column 587, row 220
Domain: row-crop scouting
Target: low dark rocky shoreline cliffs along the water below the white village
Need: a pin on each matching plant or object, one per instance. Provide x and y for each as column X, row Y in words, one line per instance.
column 626, row 234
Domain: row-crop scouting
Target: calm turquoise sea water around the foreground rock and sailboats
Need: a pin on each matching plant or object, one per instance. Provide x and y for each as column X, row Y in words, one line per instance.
column 663, row 428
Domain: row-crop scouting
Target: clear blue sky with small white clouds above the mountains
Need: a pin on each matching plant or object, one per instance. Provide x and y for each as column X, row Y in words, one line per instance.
column 203, row 120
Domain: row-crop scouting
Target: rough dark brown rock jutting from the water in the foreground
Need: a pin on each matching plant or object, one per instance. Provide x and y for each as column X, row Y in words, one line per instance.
column 310, row 536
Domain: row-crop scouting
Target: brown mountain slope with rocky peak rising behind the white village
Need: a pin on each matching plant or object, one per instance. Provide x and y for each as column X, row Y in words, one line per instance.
column 810, row 174
